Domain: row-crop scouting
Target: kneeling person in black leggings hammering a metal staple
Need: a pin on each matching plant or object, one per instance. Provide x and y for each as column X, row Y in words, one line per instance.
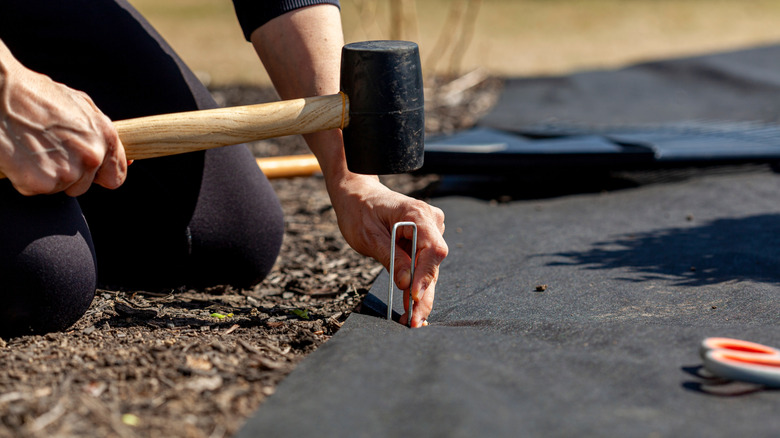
column 75, row 217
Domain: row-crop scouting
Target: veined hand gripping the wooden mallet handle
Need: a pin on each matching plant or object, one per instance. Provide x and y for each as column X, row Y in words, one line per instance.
column 54, row 138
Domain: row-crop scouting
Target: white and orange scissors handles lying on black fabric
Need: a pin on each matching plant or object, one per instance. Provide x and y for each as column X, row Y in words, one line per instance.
column 745, row 361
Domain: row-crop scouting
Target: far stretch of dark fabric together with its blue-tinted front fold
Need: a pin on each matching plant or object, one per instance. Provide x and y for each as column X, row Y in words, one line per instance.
column 711, row 109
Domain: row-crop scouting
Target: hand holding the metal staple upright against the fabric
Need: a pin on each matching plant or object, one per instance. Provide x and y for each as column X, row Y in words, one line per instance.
column 367, row 211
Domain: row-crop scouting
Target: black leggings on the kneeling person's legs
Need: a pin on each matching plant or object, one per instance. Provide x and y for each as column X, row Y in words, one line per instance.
column 198, row 219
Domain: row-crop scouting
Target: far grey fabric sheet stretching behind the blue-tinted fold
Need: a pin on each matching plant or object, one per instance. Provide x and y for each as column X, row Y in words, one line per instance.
column 738, row 86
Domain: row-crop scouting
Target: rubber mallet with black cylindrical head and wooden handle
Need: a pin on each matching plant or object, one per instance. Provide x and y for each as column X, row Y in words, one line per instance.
column 379, row 108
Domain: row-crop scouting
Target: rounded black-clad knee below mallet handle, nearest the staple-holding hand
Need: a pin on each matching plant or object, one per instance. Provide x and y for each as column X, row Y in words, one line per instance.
column 238, row 225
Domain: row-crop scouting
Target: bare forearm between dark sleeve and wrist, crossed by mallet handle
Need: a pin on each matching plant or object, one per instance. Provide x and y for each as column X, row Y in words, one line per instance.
column 301, row 51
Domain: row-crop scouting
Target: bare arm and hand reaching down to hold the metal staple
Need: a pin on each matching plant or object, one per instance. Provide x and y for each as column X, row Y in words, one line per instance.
column 301, row 51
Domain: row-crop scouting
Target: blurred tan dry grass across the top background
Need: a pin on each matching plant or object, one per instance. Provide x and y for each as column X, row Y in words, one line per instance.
column 506, row 37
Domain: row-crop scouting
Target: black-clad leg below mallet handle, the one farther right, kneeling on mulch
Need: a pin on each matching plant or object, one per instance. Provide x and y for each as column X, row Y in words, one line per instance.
column 221, row 225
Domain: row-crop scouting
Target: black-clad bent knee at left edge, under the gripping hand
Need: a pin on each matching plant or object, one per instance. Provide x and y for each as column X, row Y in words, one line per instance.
column 47, row 263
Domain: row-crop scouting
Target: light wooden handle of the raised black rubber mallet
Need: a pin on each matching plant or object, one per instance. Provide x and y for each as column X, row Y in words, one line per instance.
column 177, row 133
